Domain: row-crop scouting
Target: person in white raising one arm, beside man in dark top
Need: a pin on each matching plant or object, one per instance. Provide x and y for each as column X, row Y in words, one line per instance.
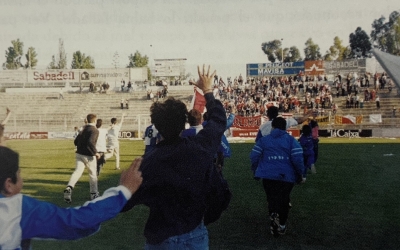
column 112, row 142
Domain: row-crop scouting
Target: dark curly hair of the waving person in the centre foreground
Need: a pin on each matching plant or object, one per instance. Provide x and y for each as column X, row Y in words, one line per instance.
column 169, row 117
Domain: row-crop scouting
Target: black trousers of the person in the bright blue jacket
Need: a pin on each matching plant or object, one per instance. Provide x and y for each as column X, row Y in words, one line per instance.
column 278, row 197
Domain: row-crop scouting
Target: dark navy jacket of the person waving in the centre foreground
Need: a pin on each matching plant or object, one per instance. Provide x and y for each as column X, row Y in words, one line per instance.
column 176, row 178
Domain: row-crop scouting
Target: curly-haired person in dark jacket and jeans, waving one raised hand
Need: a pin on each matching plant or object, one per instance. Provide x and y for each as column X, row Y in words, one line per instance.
column 176, row 174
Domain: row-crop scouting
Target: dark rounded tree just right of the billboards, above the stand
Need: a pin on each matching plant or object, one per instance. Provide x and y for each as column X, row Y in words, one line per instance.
column 359, row 43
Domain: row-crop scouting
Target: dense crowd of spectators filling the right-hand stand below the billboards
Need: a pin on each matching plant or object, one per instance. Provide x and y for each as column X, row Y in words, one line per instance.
column 294, row 93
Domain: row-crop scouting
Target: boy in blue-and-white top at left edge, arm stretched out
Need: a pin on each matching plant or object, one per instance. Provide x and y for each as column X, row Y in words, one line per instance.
column 23, row 217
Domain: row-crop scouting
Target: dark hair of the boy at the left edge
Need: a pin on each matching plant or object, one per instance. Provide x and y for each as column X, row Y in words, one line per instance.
column 9, row 166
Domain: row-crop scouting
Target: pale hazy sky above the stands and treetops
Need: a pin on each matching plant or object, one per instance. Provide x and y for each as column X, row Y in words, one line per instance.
column 225, row 34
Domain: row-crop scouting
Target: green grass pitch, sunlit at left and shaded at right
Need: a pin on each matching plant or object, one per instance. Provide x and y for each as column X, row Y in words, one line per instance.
column 351, row 203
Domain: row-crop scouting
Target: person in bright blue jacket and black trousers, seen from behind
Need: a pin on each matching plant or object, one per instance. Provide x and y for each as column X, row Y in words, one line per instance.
column 277, row 159
